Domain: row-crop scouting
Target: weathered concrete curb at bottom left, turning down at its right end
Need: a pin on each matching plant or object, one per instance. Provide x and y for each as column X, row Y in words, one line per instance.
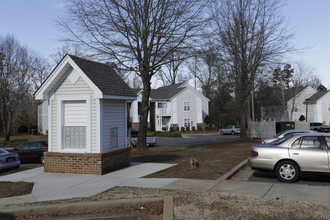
column 85, row 207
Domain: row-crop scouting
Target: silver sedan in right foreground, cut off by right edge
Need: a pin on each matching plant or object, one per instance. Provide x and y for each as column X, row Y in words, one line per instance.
column 291, row 155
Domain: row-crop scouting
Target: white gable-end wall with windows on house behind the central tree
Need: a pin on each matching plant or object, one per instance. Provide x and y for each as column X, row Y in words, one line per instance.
column 187, row 96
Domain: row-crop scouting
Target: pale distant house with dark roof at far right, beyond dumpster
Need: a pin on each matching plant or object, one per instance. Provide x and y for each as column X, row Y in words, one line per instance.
column 294, row 102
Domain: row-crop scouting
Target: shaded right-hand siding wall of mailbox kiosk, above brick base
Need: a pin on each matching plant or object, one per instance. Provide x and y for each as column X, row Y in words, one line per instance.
column 113, row 119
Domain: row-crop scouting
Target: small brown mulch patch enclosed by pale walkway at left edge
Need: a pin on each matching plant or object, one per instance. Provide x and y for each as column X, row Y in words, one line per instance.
column 9, row 189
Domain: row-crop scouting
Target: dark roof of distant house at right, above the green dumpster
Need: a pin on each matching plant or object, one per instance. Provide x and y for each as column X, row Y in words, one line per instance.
column 275, row 99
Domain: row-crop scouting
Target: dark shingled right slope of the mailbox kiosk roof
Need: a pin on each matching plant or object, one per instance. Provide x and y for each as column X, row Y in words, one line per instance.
column 104, row 77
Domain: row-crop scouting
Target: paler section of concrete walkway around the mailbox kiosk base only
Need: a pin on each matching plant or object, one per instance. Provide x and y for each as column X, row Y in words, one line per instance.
column 54, row 186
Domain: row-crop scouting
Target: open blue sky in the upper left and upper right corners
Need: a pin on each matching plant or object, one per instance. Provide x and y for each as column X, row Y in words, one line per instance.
column 32, row 22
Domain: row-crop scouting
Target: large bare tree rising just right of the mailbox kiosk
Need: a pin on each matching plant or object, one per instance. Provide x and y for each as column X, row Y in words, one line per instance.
column 139, row 34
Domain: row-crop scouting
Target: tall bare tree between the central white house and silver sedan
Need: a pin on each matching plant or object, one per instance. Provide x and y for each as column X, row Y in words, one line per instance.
column 252, row 33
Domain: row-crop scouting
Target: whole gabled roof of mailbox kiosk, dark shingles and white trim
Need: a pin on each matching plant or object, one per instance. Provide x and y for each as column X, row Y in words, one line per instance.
column 100, row 77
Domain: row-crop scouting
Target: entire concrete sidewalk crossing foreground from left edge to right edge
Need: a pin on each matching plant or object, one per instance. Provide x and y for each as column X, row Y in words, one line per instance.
column 51, row 186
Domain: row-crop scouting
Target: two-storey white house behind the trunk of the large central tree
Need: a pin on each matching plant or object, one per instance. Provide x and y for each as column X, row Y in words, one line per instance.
column 178, row 105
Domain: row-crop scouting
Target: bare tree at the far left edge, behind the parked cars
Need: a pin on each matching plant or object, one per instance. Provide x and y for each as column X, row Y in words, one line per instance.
column 14, row 80
